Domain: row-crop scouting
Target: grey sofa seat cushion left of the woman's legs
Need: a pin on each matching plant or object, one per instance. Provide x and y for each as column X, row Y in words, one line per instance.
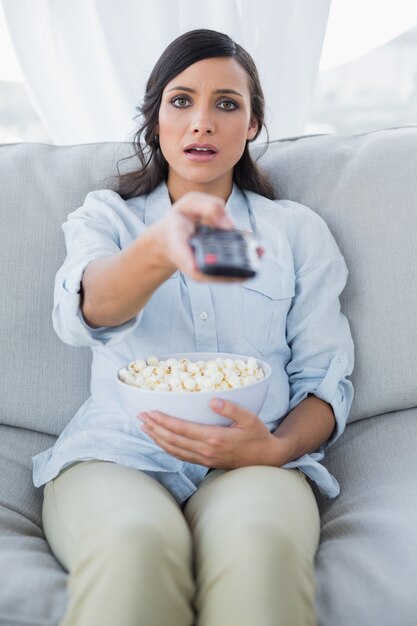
column 32, row 583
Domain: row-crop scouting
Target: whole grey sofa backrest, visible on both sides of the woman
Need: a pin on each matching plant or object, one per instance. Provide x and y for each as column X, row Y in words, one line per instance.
column 364, row 186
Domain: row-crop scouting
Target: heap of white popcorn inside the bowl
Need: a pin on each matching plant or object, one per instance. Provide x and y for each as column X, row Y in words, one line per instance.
column 187, row 376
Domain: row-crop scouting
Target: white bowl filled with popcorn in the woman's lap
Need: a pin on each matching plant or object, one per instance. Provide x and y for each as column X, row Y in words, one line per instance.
column 182, row 385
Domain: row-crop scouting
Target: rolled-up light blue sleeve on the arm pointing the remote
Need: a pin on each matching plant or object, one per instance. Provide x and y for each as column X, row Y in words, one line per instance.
column 90, row 232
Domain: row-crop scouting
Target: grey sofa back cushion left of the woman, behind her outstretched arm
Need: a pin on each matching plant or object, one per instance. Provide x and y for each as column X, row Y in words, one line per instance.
column 43, row 381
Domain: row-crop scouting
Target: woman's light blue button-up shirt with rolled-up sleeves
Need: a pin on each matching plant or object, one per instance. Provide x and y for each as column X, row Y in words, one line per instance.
column 288, row 314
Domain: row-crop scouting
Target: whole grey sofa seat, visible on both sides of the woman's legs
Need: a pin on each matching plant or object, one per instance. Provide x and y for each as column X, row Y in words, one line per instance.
column 366, row 569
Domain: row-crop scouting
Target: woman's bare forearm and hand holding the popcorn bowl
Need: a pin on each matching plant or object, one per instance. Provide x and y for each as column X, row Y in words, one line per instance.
column 247, row 441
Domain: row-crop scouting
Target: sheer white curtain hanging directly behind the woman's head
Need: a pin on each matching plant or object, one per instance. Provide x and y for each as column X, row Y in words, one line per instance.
column 85, row 63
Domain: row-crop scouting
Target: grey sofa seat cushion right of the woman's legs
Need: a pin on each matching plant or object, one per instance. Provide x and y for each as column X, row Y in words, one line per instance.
column 366, row 566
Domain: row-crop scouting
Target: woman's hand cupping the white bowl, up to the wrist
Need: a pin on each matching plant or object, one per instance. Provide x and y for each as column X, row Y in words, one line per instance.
column 247, row 441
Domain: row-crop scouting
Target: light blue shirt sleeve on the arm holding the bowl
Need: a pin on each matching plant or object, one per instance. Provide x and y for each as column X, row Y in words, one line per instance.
column 318, row 333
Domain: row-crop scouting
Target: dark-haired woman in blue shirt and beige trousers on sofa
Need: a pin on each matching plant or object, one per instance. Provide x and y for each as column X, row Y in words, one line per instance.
column 148, row 534
